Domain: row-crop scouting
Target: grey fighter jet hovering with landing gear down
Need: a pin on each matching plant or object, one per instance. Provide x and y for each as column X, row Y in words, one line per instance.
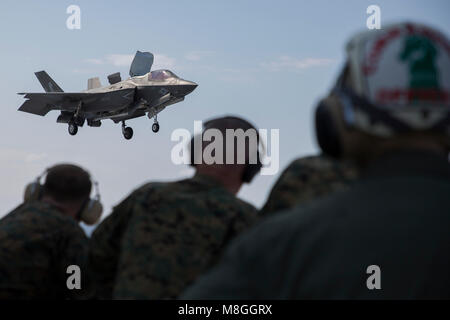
column 145, row 92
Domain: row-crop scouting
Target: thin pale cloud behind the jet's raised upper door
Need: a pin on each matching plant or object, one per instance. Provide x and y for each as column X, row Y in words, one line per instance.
column 161, row 61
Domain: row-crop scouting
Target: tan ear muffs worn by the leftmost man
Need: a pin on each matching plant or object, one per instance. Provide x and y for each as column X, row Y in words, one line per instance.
column 90, row 212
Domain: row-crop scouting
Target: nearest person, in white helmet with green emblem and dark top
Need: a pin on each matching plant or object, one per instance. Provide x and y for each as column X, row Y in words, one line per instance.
column 388, row 236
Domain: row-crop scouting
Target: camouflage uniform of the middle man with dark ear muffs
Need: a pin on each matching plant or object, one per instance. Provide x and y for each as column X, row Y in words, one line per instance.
column 160, row 238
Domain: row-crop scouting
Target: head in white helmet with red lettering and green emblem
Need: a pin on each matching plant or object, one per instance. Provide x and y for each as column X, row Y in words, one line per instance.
column 393, row 93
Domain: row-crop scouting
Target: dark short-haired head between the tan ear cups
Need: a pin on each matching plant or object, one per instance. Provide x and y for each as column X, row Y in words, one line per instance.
column 67, row 183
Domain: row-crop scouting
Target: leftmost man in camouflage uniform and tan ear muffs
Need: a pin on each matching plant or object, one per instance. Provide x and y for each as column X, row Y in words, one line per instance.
column 41, row 238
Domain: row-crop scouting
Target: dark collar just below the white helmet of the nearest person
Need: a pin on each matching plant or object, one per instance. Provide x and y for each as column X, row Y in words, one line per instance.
column 409, row 163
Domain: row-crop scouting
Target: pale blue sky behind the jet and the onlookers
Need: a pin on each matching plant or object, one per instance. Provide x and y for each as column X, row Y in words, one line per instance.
column 268, row 61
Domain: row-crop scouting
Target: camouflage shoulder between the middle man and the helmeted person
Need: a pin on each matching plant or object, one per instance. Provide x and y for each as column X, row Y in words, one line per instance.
column 306, row 179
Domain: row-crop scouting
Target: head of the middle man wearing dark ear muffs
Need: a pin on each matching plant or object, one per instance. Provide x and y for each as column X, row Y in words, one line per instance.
column 227, row 143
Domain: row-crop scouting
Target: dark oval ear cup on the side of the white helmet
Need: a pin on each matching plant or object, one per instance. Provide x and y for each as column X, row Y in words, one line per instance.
column 327, row 134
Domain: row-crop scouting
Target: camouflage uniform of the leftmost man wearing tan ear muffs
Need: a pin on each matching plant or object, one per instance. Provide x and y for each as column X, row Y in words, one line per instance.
column 37, row 244
